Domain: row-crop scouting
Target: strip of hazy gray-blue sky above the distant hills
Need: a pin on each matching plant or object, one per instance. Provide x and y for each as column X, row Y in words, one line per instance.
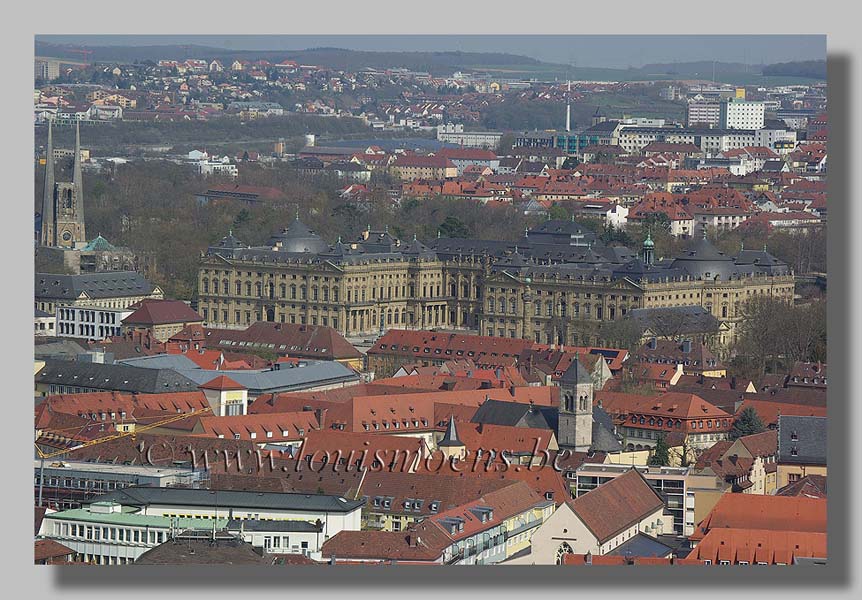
column 618, row 51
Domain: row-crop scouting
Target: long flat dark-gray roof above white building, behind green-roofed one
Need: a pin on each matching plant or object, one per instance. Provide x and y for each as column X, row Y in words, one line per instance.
column 145, row 496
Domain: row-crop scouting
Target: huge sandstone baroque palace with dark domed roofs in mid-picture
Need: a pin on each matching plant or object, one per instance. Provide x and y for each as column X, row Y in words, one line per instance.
column 557, row 284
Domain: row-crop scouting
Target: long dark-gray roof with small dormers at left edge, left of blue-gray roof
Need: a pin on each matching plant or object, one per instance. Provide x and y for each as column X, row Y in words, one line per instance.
column 121, row 378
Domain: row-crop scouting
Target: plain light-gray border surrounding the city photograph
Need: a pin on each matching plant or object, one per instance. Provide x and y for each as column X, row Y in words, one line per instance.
column 833, row 18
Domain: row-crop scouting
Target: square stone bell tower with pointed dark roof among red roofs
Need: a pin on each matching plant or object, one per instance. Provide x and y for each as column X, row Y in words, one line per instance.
column 575, row 421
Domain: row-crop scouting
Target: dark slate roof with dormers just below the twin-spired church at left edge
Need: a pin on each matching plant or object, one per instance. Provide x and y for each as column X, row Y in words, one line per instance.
column 111, row 284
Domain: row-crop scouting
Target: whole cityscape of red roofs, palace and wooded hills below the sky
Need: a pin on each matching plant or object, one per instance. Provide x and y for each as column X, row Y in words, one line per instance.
column 350, row 307
